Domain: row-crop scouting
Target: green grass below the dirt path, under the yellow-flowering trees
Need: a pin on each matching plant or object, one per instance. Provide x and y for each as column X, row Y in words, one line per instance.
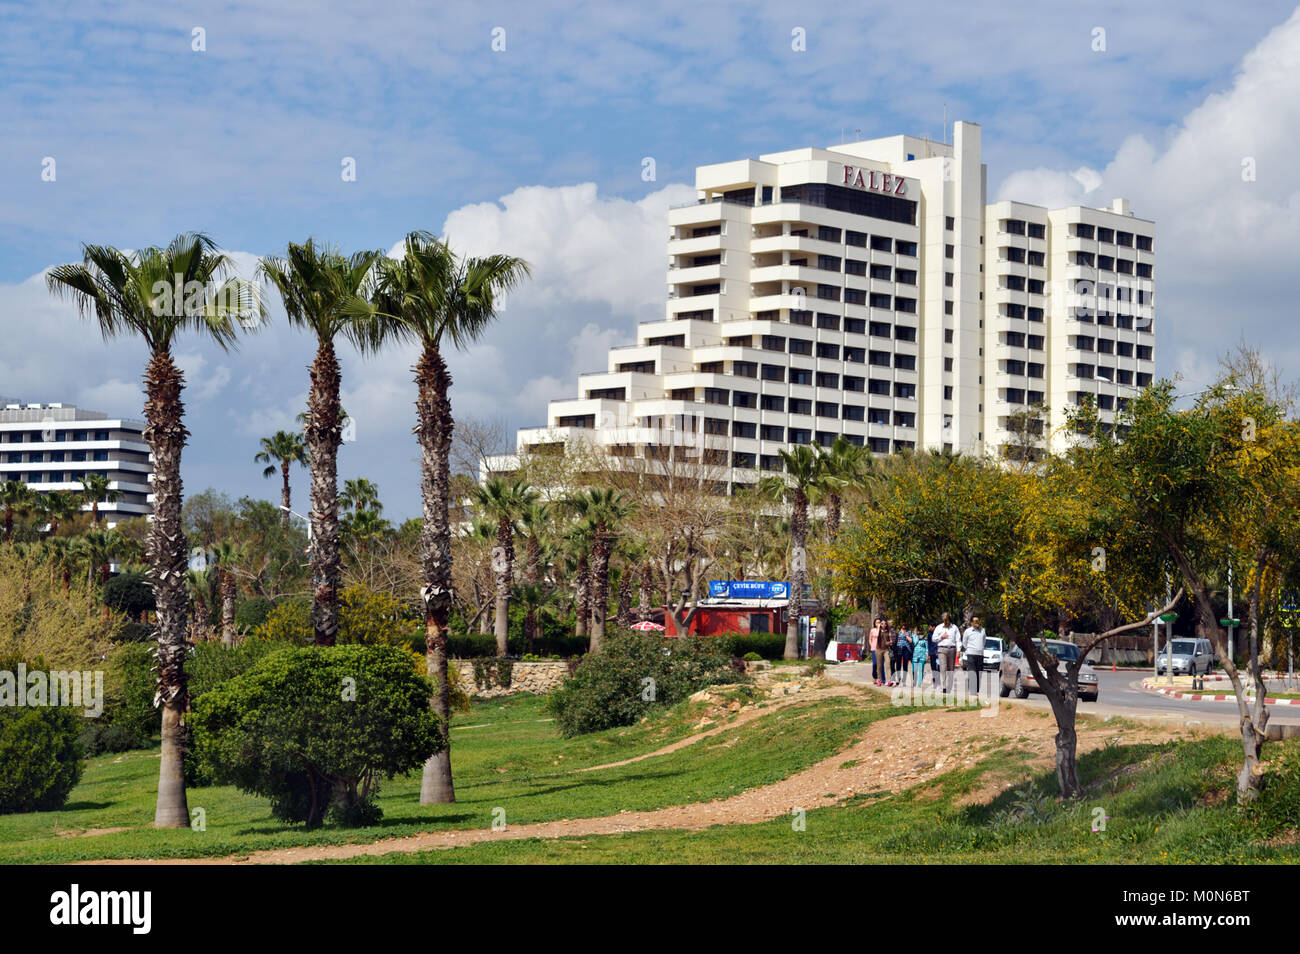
column 1163, row 805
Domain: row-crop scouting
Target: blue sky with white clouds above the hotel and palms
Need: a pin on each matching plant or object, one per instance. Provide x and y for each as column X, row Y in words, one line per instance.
column 538, row 150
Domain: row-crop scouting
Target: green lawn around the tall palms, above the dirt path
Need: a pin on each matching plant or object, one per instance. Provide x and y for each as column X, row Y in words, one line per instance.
column 506, row 754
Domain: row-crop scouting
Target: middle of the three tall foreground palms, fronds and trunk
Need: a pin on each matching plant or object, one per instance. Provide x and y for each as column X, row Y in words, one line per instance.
column 314, row 284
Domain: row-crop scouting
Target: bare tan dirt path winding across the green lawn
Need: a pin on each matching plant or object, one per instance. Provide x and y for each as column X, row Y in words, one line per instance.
column 892, row 756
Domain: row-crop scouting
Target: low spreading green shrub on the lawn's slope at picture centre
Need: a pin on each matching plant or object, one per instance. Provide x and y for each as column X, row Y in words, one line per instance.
column 632, row 674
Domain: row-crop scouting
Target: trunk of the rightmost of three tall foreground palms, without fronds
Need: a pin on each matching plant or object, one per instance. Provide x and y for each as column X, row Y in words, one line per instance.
column 434, row 430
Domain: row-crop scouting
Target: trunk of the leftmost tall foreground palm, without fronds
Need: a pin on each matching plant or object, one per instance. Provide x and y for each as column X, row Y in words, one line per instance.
column 168, row 562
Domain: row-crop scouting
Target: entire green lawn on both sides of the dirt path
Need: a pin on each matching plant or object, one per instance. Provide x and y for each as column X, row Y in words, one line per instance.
column 1165, row 804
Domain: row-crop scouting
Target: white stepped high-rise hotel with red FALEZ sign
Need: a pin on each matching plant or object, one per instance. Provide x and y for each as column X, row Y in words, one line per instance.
column 870, row 290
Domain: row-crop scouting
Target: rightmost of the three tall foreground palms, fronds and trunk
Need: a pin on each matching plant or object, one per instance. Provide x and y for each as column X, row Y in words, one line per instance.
column 430, row 297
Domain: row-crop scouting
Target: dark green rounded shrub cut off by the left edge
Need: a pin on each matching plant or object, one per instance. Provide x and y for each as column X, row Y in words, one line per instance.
column 41, row 753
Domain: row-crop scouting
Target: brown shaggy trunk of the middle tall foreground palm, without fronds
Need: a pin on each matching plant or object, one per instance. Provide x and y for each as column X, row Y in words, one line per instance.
column 323, row 440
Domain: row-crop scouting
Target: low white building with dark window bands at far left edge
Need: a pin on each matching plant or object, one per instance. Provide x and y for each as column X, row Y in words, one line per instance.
column 51, row 446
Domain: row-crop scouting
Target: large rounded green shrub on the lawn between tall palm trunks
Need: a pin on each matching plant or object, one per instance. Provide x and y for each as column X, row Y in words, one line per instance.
column 315, row 730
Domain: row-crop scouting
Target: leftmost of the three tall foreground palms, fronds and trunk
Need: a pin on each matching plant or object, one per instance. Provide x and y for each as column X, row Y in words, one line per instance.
column 132, row 296
